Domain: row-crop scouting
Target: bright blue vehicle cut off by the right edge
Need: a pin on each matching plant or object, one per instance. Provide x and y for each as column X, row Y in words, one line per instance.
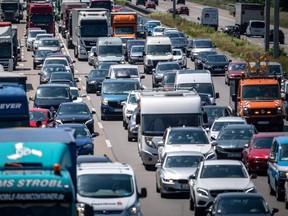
column 278, row 166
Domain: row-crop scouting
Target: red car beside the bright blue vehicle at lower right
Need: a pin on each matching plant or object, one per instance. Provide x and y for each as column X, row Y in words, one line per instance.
column 255, row 154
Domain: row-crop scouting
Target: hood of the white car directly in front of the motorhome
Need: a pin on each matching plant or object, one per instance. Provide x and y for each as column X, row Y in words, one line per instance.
column 203, row 148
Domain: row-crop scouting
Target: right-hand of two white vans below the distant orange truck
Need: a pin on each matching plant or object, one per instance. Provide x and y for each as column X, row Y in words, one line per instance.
column 156, row 49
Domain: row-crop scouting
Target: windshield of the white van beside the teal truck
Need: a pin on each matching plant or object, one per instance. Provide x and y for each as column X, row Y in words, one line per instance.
column 105, row 185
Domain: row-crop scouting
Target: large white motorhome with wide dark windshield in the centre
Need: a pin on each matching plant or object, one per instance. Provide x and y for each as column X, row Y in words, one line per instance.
column 159, row 110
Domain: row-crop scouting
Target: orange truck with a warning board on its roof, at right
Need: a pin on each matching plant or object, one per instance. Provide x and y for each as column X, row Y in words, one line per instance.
column 256, row 95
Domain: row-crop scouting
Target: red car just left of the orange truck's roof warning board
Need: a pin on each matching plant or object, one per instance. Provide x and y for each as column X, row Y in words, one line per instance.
column 235, row 69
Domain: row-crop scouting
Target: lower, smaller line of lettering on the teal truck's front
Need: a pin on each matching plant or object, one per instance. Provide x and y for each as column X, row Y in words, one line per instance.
column 31, row 196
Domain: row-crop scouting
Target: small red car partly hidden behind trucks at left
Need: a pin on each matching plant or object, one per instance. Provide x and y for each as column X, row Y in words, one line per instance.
column 40, row 117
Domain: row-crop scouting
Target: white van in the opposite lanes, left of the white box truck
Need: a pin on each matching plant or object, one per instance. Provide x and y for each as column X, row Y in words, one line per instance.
column 209, row 17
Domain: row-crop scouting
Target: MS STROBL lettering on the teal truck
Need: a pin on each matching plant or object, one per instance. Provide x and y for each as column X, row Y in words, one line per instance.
column 31, row 183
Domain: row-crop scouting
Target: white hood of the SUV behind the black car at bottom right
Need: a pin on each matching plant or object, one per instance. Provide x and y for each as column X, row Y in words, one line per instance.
column 225, row 183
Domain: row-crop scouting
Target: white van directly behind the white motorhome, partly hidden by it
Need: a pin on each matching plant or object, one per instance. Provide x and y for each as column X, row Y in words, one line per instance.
column 199, row 80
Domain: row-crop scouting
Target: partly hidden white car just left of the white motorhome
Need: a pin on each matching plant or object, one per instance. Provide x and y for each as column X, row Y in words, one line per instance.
column 128, row 107
